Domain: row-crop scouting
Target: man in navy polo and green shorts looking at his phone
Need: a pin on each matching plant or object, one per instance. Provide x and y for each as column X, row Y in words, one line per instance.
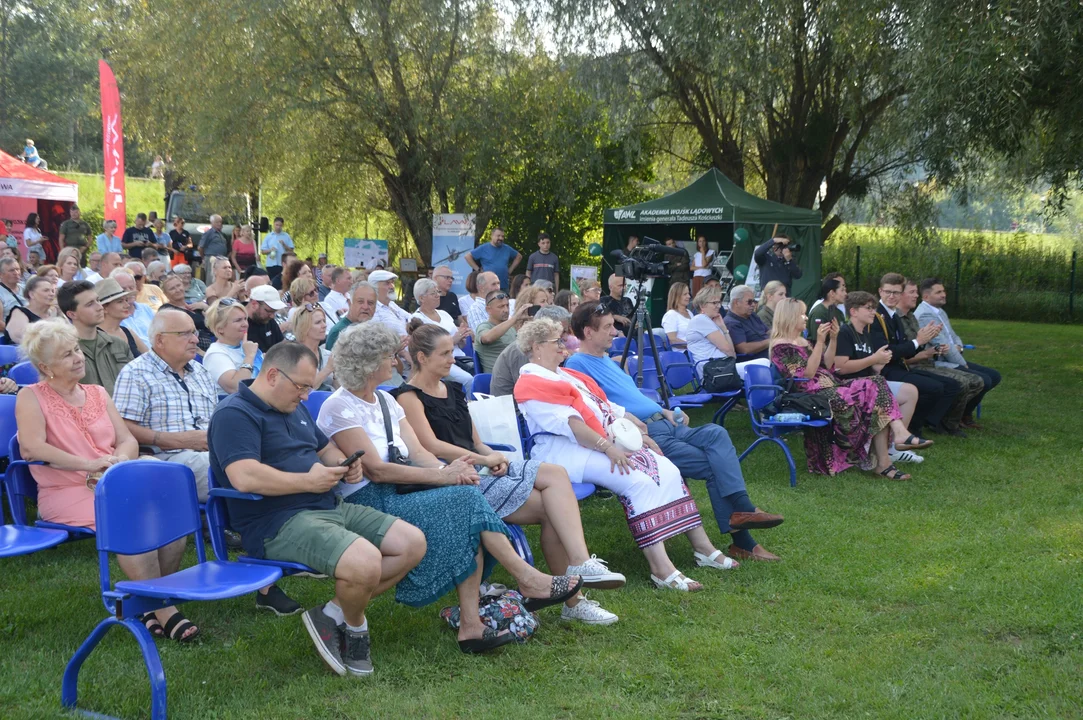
column 263, row 440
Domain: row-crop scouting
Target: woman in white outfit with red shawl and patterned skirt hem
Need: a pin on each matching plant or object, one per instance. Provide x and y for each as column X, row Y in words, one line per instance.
column 576, row 412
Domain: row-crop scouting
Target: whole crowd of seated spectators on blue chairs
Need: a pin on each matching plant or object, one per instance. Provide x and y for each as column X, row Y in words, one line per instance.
column 425, row 507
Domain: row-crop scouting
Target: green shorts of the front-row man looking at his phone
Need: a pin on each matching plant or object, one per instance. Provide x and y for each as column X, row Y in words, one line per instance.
column 318, row 539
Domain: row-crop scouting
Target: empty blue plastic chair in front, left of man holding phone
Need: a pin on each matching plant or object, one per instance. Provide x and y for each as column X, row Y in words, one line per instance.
column 139, row 507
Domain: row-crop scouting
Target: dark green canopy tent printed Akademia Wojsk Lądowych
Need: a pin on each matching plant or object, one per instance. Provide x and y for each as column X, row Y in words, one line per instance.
column 716, row 207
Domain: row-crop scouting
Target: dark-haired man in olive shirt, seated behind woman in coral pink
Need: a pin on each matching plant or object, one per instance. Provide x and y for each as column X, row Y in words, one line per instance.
column 105, row 355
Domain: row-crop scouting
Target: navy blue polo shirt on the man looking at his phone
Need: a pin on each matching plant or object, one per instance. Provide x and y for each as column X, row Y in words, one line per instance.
column 245, row 428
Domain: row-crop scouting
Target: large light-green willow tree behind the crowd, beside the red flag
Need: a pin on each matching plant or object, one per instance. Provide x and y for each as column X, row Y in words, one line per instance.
column 426, row 96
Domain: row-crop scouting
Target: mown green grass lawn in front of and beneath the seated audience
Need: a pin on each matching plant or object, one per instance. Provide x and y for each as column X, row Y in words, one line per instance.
column 957, row 595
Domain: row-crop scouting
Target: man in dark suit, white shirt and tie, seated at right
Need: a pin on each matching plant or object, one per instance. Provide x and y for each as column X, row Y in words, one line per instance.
column 935, row 395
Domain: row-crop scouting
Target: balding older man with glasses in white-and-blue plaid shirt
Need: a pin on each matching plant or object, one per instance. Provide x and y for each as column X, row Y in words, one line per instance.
column 167, row 400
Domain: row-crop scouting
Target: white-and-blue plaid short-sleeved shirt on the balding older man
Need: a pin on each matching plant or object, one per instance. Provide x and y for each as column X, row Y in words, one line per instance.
column 151, row 395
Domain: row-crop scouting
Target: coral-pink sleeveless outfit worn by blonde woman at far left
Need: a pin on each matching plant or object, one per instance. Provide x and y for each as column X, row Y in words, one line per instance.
column 87, row 433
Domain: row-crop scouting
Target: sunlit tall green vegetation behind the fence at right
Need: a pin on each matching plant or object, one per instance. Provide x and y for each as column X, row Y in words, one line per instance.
column 1001, row 276
